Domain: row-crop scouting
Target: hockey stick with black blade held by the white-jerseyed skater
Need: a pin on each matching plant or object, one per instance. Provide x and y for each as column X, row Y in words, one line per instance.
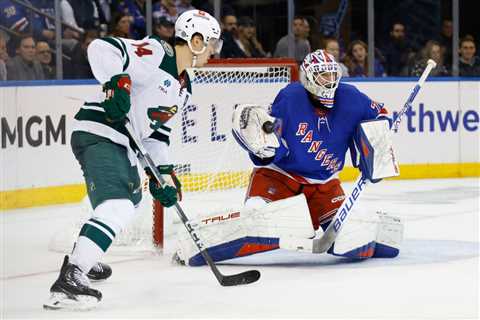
column 225, row 280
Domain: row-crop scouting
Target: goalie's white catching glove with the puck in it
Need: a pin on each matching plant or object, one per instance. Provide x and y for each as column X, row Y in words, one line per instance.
column 255, row 130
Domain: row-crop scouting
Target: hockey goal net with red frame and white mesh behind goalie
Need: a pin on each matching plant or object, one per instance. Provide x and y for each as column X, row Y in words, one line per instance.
column 213, row 169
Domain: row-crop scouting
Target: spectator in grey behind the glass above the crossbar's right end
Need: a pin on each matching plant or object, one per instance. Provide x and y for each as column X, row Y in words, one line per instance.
column 302, row 45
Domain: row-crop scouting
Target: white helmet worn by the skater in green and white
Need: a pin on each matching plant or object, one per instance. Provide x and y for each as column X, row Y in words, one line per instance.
column 197, row 21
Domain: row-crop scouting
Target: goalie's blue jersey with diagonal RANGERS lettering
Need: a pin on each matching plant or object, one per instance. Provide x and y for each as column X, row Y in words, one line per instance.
column 314, row 141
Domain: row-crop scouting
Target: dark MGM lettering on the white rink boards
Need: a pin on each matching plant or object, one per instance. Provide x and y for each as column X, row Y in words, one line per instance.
column 34, row 131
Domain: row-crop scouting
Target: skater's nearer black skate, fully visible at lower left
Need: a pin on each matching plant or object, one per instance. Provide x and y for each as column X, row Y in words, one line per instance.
column 72, row 290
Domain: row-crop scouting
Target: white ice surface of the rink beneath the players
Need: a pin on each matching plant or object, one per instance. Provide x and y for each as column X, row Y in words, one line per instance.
column 435, row 276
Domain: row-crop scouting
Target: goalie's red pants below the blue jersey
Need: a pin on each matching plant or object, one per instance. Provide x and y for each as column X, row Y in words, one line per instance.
column 323, row 199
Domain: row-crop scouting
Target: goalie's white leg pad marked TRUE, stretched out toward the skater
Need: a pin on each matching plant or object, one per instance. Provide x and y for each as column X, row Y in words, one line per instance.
column 253, row 229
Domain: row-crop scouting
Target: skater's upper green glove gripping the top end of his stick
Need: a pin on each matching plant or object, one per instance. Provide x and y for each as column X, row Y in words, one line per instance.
column 117, row 97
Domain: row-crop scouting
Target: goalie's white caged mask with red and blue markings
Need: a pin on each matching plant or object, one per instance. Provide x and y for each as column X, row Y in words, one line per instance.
column 320, row 75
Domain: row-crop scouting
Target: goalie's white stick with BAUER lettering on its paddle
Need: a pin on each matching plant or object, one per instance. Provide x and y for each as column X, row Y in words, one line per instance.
column 328, row 238
